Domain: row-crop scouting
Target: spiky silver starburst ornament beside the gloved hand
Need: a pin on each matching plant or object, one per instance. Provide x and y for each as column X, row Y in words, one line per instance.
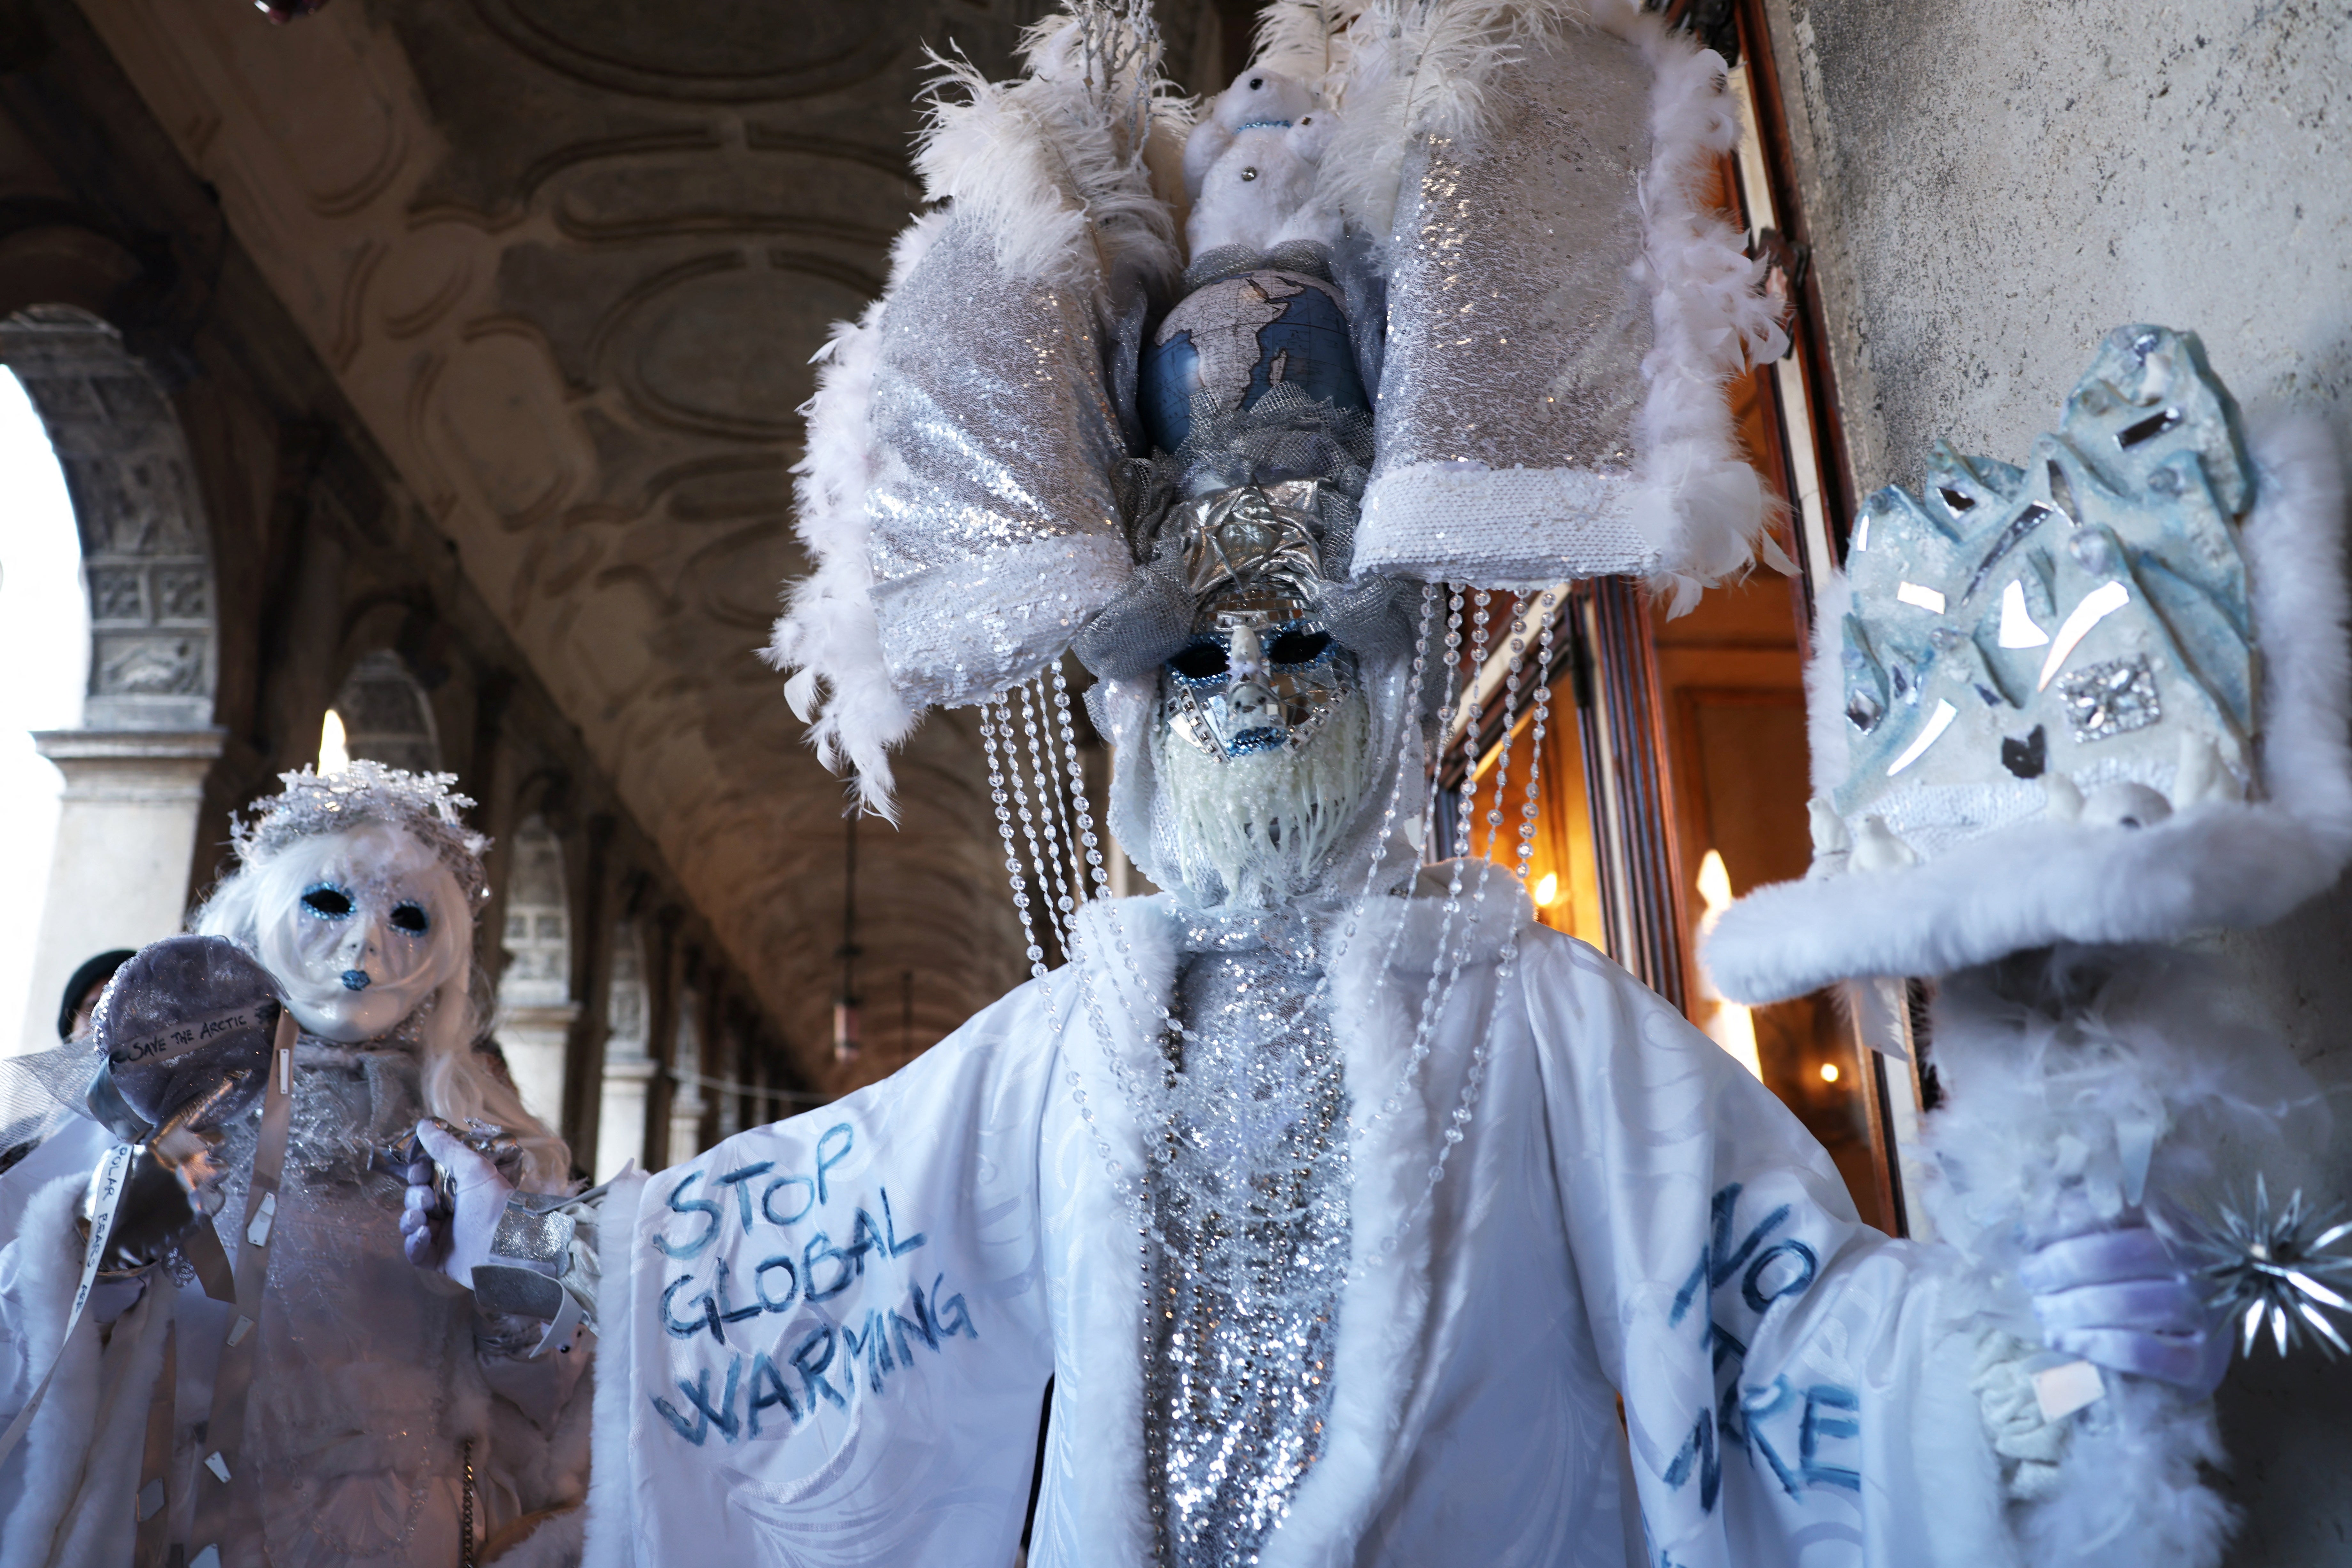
column 2276, row 1268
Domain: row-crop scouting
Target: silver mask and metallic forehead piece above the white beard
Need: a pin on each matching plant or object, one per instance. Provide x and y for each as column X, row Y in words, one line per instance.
column 1262, row 671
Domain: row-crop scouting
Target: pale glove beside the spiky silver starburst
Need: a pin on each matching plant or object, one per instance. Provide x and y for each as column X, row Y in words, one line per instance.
column 2118, row 1299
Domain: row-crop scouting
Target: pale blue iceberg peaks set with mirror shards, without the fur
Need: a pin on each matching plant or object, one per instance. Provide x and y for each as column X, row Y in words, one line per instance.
column 2097, row 596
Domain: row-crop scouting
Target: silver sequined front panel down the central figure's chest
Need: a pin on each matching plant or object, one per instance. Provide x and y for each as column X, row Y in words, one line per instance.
column 1255, row 1205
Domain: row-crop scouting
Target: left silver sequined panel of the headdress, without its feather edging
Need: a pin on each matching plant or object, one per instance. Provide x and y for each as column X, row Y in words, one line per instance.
column 994, row 528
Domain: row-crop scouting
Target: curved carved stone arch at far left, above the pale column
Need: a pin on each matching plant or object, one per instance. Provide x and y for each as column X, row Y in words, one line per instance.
column 147, row 561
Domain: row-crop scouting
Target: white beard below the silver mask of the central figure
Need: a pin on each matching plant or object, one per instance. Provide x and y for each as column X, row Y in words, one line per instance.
column 1257, row 831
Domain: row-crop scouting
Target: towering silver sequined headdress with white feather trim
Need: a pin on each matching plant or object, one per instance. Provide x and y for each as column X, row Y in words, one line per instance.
column 1539, row 311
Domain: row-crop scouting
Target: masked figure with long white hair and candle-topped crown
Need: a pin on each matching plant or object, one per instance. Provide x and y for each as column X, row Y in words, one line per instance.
column 385, row 1416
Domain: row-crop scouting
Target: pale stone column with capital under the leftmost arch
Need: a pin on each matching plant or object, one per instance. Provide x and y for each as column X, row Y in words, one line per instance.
column 126, row 840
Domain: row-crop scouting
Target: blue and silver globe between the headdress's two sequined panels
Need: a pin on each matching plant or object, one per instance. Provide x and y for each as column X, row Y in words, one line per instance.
column 1238, row 340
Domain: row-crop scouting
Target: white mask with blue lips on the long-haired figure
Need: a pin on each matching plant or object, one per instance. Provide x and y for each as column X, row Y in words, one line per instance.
column 361, row 930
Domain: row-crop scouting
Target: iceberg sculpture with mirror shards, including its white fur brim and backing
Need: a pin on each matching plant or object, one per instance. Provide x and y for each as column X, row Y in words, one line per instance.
column 2094, row 697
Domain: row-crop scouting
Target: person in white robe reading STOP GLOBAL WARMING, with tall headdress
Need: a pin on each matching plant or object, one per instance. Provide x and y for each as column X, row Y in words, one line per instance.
column 1342, row 1202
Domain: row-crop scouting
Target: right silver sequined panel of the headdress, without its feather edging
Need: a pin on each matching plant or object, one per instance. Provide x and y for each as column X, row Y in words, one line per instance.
column 1516, row 333
